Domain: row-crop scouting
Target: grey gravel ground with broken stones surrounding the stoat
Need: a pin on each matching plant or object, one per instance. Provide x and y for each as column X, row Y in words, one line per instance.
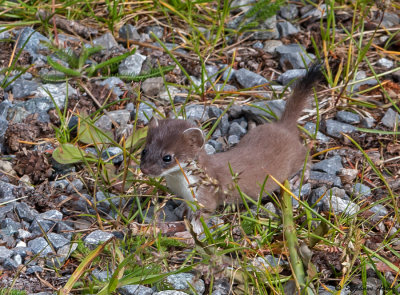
column 49, row 209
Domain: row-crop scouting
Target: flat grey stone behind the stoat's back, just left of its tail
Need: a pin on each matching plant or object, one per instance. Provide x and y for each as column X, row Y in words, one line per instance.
column 255, row 111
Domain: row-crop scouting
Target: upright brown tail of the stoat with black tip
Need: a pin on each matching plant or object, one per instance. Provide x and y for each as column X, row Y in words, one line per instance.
column 298, row 101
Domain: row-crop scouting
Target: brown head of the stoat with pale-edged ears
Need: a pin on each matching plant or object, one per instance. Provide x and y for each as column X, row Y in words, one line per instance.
column 167, row 141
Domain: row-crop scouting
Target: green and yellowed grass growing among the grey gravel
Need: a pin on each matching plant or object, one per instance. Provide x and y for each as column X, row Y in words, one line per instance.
column 145, row 256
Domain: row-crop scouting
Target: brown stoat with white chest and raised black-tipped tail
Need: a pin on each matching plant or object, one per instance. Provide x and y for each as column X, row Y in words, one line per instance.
column 175, row 150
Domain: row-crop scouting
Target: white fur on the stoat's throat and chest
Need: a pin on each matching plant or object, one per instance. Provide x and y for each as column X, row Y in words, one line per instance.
column 178, row 184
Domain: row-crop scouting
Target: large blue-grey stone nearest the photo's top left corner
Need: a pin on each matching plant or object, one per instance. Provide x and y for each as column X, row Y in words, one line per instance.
column 34, row 44
